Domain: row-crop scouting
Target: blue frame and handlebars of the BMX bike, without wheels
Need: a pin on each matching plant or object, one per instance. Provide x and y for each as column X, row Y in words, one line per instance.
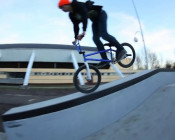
column 78, row 47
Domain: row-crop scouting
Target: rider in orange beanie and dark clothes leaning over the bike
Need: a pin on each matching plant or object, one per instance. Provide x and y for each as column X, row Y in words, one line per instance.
column 79, row 12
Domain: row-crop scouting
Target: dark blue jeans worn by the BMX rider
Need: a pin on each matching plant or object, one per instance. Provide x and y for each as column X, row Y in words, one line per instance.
column 99, row 29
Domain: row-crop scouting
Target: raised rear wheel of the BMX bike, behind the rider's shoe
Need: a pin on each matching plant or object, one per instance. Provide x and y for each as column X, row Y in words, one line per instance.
column 130, row 54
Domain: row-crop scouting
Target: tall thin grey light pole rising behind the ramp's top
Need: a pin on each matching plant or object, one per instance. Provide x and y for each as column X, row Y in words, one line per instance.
column 141, row 31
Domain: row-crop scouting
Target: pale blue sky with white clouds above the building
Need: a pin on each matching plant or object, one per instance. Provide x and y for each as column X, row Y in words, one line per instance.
column 40, row 21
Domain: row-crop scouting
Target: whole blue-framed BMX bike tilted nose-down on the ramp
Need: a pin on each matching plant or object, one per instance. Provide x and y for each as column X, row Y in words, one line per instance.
column 87, row 78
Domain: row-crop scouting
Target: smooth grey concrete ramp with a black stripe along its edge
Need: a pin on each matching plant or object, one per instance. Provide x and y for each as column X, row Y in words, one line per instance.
column 78, row 116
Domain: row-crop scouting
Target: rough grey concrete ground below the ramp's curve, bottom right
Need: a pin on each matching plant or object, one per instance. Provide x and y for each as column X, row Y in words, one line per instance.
column 153, row 120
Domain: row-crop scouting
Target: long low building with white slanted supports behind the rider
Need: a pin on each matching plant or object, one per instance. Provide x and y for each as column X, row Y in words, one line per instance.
column 46, row 64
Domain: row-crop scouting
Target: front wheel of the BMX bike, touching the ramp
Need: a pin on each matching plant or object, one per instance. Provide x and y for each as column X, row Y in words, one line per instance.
column 81, row 81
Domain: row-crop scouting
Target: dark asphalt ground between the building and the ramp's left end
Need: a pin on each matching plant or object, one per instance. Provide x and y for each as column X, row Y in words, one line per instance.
column 14, row 96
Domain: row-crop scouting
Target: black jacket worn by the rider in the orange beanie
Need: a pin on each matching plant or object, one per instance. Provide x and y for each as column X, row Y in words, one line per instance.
column 81, row 13
